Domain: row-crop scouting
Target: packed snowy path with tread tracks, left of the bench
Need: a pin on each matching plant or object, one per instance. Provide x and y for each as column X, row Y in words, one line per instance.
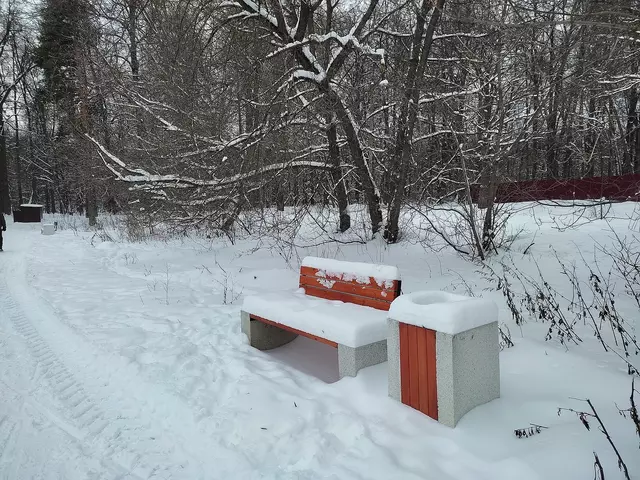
column 126, row 436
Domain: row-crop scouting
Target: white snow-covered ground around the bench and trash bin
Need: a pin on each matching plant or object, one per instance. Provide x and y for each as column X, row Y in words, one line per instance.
column 126, row 360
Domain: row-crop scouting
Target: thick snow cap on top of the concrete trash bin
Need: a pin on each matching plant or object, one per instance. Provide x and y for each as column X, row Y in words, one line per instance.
column 443, row 312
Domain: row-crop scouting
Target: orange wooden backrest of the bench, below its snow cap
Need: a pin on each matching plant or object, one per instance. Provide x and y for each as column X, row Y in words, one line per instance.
column 345, row 288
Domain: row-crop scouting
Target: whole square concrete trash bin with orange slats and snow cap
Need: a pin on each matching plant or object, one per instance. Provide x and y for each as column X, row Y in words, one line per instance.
column 449, row 369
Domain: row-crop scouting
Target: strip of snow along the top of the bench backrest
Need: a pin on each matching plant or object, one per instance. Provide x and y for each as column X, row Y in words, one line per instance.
column 384, row 275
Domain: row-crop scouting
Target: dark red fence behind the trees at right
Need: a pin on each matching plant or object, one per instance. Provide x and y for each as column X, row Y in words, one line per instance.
column 620, row 188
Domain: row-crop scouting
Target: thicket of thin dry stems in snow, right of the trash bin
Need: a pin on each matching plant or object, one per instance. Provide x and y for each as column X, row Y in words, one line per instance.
column 588, row 296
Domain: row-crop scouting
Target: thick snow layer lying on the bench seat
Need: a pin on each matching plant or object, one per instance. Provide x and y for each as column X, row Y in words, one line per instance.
column 343, row 323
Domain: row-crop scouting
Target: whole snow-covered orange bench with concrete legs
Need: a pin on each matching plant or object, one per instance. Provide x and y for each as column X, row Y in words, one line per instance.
column 342, row 304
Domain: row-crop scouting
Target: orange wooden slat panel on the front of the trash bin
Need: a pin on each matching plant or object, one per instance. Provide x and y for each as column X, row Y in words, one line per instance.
column 418, row 369
